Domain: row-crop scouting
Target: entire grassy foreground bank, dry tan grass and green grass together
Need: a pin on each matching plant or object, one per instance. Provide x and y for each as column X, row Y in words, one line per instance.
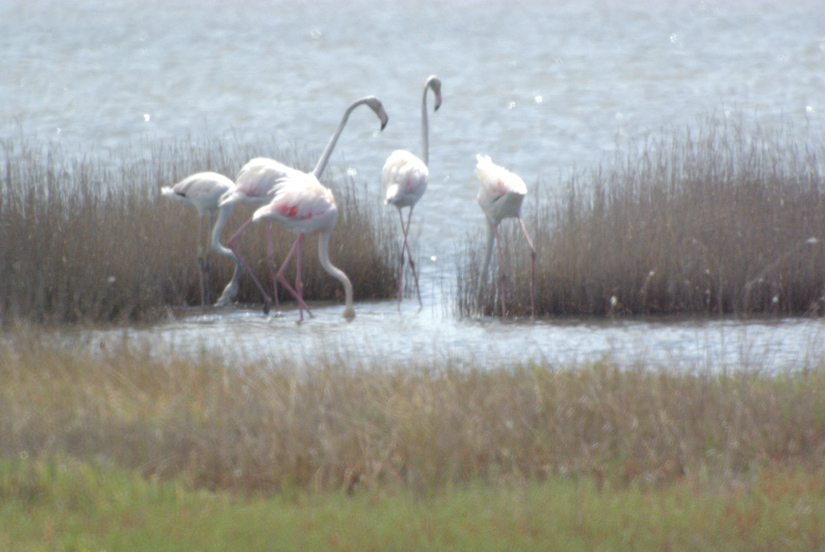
column 120, row 449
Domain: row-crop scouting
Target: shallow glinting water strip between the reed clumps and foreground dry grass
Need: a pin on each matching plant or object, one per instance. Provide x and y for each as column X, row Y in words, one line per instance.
column 380, row 336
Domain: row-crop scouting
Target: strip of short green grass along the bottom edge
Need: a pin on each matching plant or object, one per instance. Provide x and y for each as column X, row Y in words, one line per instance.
column 63, row 504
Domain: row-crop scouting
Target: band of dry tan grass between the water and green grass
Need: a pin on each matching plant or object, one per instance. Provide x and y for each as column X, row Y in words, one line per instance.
column 339, row 425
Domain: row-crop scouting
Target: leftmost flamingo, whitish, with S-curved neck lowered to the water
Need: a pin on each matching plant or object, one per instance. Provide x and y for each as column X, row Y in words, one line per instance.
column 203, row 191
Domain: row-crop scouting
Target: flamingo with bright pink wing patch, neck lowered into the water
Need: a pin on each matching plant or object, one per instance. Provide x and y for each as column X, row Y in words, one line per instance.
column 303, row 205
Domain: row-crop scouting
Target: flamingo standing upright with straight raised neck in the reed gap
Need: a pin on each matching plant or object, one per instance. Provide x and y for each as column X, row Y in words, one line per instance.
column 404, row 178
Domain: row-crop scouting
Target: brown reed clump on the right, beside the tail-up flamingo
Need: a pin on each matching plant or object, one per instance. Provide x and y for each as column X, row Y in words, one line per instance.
column 714, row 220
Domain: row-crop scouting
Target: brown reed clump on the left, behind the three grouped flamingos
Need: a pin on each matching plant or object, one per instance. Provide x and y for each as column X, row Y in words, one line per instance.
column 90, row 238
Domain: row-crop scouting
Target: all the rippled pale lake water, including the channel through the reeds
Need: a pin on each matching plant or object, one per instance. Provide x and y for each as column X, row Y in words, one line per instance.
column 542, row 87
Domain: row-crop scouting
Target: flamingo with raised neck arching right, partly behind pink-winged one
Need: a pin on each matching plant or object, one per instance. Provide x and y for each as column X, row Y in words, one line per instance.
column 258, row 181
